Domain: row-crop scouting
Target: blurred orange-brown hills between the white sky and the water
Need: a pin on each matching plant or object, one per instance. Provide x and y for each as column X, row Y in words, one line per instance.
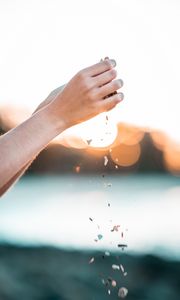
column 135, row 149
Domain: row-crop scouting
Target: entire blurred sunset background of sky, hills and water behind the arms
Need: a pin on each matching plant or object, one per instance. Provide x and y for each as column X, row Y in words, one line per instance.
column 107, row 191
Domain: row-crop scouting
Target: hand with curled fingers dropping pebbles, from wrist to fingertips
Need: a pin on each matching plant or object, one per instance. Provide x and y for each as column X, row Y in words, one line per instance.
column 85, row 95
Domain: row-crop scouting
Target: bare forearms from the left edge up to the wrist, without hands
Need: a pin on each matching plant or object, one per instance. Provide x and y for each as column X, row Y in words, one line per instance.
column 22, row 144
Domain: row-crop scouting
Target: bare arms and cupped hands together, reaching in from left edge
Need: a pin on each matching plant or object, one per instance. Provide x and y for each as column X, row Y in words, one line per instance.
column 81, row 99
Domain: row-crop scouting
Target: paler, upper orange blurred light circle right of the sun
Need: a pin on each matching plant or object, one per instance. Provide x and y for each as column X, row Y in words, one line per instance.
column 128, row 134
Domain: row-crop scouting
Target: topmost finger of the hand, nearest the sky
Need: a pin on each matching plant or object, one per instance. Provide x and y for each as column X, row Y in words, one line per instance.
column 100, row 67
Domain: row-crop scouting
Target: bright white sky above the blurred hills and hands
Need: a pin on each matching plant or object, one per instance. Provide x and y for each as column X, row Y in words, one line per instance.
column 45, row 42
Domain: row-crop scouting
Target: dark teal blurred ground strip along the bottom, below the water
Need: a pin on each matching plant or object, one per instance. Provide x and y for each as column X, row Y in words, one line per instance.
column 44, row 273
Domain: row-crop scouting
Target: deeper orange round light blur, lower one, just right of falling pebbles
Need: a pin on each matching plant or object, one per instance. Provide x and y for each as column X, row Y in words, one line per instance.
column 125, row 155
